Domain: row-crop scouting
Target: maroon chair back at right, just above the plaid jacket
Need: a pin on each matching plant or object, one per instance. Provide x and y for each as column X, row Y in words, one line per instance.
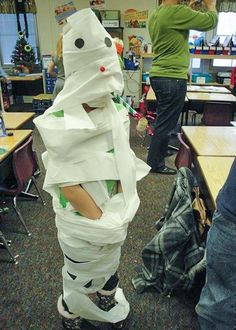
column 184, row 155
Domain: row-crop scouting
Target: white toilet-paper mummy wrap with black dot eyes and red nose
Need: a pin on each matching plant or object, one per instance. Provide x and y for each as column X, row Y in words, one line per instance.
column 91, row 149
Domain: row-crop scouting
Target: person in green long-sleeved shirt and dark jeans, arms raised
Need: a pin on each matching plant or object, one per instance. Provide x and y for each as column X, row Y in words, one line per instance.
column 169, row 27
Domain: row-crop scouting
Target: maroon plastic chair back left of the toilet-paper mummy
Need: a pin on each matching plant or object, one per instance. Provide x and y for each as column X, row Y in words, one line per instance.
column 23, row 163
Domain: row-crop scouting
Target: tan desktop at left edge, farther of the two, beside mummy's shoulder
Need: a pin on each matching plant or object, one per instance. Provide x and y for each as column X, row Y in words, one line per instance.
column 14, row 120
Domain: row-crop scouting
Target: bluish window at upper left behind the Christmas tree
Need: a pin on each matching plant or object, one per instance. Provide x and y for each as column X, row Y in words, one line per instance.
column 9, row 35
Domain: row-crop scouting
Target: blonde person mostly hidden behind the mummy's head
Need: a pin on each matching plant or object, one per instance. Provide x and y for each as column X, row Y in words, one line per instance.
column 57, row 61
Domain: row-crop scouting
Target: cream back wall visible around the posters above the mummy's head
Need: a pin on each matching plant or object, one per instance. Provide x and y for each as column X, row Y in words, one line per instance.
column 48, row 28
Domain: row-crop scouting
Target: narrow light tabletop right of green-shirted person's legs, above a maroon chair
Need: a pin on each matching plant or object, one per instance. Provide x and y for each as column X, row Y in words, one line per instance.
column 212, row 97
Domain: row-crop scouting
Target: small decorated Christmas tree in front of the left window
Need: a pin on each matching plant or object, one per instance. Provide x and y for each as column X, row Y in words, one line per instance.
column 23, row 55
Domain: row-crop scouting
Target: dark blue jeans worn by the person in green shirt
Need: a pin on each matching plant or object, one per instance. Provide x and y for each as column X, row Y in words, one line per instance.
column 170, row 94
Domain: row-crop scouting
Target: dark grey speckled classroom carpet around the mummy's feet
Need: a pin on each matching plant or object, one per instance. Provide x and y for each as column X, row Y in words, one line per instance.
column 29, row 290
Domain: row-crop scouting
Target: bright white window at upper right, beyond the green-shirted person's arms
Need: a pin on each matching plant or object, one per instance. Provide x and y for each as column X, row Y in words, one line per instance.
column 226, row 27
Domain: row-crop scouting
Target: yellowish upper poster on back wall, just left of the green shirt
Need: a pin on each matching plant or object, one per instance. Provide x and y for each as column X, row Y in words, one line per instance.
column 135, row 19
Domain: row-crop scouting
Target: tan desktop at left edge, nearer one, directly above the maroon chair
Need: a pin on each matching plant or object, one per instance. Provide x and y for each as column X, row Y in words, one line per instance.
column 10, row 143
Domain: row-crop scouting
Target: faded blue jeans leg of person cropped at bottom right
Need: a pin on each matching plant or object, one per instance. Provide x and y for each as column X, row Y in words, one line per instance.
column 217, row 306
